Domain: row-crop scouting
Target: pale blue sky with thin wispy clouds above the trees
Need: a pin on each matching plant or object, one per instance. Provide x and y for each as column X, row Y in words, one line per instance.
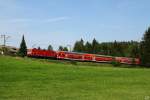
column 62, row 22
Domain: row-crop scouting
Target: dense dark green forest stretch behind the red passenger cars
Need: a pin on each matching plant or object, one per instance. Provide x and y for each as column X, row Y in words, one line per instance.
column 116, row 48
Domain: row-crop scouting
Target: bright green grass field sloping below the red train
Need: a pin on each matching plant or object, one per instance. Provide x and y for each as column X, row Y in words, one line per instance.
column 30, row 79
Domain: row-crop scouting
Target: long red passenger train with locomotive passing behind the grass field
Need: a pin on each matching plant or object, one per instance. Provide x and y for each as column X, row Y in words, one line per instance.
column 75, row 56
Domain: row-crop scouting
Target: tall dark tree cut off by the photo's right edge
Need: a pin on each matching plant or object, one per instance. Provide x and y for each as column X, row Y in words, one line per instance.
column 145, row 49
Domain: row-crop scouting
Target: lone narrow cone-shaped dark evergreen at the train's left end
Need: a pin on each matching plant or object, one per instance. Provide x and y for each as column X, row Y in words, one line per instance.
column 23, row 48
